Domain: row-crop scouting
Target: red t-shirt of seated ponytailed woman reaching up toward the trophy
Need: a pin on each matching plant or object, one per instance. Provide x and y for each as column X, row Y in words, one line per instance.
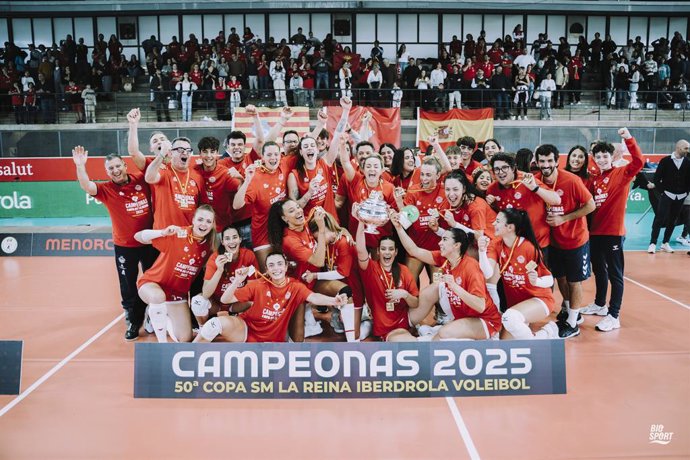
column 470, row 277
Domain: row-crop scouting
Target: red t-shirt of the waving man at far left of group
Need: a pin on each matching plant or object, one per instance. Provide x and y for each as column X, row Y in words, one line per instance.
column 129, row 206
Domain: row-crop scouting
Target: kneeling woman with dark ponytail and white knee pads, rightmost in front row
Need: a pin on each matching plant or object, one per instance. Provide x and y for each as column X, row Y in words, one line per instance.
column 514, row 256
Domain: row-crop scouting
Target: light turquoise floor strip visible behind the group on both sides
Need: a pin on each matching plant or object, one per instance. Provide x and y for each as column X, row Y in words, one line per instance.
column 639, row 227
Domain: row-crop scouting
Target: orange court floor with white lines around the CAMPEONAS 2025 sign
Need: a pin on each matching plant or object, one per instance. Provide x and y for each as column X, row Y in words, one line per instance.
column 77, row 399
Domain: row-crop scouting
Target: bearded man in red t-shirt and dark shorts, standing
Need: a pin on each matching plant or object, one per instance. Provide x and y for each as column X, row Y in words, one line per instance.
column 569, row 249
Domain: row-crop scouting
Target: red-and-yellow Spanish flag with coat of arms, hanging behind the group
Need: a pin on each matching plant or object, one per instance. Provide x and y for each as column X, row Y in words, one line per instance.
column 454, row 124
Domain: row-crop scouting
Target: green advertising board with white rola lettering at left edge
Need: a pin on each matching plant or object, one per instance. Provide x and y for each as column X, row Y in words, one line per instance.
column 47, row 199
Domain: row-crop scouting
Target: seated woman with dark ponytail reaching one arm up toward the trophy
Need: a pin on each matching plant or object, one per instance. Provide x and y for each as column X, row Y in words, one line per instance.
column 459, row 288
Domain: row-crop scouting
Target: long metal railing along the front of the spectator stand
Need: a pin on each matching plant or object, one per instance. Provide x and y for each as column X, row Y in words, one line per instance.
column 168, row 106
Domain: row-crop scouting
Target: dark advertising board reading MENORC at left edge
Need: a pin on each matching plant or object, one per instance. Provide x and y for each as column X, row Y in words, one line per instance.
column 56, row 244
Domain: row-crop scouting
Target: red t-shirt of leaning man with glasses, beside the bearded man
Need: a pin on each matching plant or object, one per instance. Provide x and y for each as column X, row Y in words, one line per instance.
column 520, row 197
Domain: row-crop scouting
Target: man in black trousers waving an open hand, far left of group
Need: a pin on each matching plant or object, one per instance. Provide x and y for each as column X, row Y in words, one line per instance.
column 128, row 200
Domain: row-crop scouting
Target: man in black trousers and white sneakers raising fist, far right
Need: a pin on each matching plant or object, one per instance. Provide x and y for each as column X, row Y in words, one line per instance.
column 610, row 190
